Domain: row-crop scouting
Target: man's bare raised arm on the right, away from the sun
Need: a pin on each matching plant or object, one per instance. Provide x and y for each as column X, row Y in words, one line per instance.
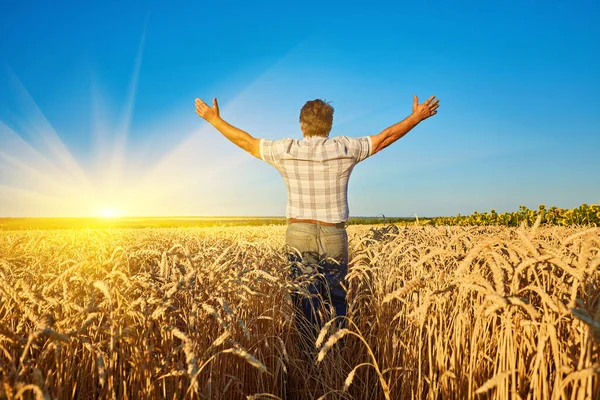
column 395, row 132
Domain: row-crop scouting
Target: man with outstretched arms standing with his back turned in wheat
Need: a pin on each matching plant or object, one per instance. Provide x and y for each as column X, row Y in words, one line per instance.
column 316, row 170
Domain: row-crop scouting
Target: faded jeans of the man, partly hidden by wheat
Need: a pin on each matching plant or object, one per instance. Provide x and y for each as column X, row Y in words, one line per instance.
column 319, row 262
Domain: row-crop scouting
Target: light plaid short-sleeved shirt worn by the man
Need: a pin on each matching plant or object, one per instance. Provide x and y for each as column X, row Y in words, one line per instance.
column 316, row 172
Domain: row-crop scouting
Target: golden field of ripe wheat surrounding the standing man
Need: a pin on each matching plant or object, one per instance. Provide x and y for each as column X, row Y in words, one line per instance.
column 205, row 313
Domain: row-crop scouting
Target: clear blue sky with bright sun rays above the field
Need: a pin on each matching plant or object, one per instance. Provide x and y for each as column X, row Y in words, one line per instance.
column 97, row 103
